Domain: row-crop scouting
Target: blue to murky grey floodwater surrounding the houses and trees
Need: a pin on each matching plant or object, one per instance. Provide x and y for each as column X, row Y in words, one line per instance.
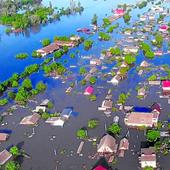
column 48, row 139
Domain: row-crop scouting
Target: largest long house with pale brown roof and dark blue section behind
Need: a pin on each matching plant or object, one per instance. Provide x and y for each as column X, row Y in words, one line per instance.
column 143, row 116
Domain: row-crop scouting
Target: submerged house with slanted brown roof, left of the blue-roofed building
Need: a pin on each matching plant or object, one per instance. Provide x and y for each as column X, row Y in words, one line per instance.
column 31, row 119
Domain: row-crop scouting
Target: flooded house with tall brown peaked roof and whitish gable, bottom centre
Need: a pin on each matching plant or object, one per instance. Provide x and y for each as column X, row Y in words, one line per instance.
column 107, row 145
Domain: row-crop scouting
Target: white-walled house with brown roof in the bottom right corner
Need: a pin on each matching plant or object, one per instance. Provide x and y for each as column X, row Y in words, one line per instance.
column 148, row 157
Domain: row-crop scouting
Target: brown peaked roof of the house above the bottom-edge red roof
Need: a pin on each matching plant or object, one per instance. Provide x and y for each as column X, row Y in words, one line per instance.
column 107, row 141
